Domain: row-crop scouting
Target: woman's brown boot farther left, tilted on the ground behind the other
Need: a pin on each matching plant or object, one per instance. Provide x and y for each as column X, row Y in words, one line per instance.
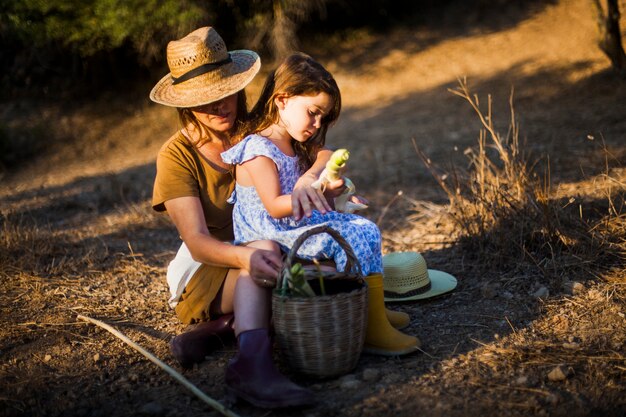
column 194, row 345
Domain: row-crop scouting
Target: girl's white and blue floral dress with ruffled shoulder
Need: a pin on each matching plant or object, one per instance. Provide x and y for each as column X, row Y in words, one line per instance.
column 253, row 222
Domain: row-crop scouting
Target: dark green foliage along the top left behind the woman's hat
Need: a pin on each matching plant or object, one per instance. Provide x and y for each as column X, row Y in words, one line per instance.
column 73, row 48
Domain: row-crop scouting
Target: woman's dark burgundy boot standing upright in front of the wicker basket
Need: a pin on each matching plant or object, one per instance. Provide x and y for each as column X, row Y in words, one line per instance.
column 252, row 376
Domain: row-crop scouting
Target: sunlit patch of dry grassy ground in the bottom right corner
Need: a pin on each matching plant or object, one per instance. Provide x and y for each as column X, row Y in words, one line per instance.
column 562, row 362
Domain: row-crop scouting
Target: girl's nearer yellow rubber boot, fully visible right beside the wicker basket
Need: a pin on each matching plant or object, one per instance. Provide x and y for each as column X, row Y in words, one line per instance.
column 381, row 337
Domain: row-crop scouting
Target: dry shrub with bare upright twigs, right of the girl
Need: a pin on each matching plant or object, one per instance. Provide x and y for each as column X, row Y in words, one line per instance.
column 510, row 218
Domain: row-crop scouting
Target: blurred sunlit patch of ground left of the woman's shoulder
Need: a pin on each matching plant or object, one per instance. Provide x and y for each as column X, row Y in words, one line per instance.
column 97, row 139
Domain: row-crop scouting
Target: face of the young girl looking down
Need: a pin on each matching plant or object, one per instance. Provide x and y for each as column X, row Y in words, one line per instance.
column 302, row 116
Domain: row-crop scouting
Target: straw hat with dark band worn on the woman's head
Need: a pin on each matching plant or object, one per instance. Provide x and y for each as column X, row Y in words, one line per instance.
column 203, row 71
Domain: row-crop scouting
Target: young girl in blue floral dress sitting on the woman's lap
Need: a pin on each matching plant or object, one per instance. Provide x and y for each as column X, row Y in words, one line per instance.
column 298, row 103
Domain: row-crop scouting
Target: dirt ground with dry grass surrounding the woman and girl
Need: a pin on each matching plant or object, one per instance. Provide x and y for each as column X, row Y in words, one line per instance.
column 79, row 237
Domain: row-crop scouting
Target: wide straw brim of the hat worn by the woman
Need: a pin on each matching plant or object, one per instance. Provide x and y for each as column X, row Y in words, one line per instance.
column 245, row 66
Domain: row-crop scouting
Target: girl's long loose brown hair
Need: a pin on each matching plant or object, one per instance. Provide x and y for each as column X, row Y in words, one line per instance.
column 298, row 75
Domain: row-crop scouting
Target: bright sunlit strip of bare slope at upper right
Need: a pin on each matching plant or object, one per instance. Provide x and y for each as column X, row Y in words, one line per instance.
column 410, row 69
